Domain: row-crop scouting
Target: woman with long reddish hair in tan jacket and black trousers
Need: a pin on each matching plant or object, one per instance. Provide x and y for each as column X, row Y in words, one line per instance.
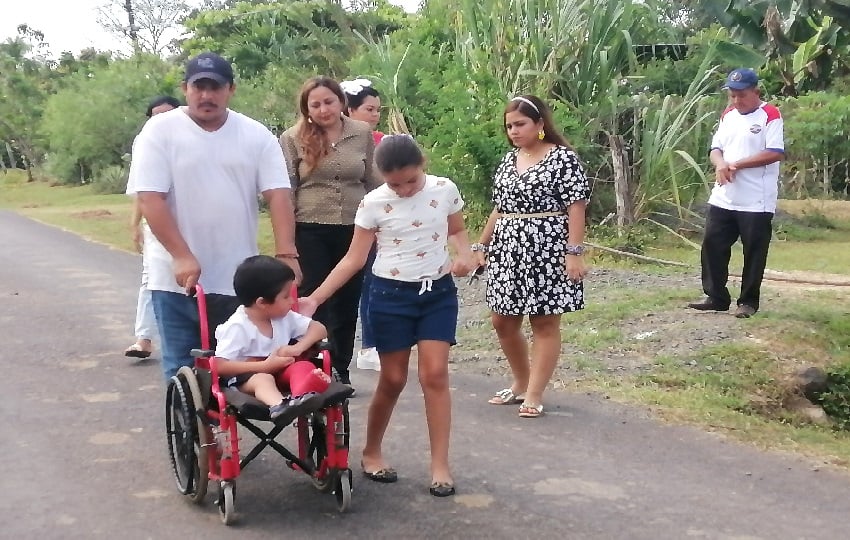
column 329, row 157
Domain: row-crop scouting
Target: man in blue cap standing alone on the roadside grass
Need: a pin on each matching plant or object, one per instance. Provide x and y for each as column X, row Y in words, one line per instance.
column 746, row 150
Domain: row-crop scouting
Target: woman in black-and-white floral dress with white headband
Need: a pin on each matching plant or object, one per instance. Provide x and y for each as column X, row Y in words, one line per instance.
column 533, row 240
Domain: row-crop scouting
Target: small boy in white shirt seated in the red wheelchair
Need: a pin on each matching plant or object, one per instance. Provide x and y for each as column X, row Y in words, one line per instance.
column 259, row 347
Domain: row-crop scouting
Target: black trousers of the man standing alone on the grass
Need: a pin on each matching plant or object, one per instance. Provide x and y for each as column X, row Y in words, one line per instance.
column 722, row 229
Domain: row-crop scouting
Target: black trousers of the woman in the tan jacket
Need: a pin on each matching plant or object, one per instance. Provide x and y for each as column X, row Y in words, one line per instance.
column 320, row 248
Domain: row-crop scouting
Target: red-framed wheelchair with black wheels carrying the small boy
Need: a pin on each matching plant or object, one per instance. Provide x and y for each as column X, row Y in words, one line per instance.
column 202, row 418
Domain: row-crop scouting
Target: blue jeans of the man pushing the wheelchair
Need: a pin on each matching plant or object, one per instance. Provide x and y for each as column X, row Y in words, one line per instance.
column 179, row 325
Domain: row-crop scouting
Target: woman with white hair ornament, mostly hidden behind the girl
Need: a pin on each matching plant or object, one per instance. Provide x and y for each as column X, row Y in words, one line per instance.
column 364, row 104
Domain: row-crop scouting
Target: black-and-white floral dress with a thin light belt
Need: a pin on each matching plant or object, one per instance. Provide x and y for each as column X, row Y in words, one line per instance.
column 527, row 273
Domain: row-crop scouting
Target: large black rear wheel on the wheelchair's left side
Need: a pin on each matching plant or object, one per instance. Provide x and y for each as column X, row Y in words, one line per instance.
column 186, row 436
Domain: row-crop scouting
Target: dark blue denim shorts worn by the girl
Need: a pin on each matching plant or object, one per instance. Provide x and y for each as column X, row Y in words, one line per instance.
column 401, row 317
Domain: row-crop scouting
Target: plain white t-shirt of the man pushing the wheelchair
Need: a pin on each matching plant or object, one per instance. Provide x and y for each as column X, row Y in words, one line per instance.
column 212, row 181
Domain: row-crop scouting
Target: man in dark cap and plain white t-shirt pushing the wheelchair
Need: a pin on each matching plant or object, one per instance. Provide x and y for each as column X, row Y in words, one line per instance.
column 198, row 171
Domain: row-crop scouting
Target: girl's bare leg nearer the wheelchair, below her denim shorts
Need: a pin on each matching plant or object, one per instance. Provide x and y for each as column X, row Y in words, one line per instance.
column 394, row 367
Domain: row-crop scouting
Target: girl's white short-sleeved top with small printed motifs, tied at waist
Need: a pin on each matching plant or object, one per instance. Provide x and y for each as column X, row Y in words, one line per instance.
column 412, row 232
